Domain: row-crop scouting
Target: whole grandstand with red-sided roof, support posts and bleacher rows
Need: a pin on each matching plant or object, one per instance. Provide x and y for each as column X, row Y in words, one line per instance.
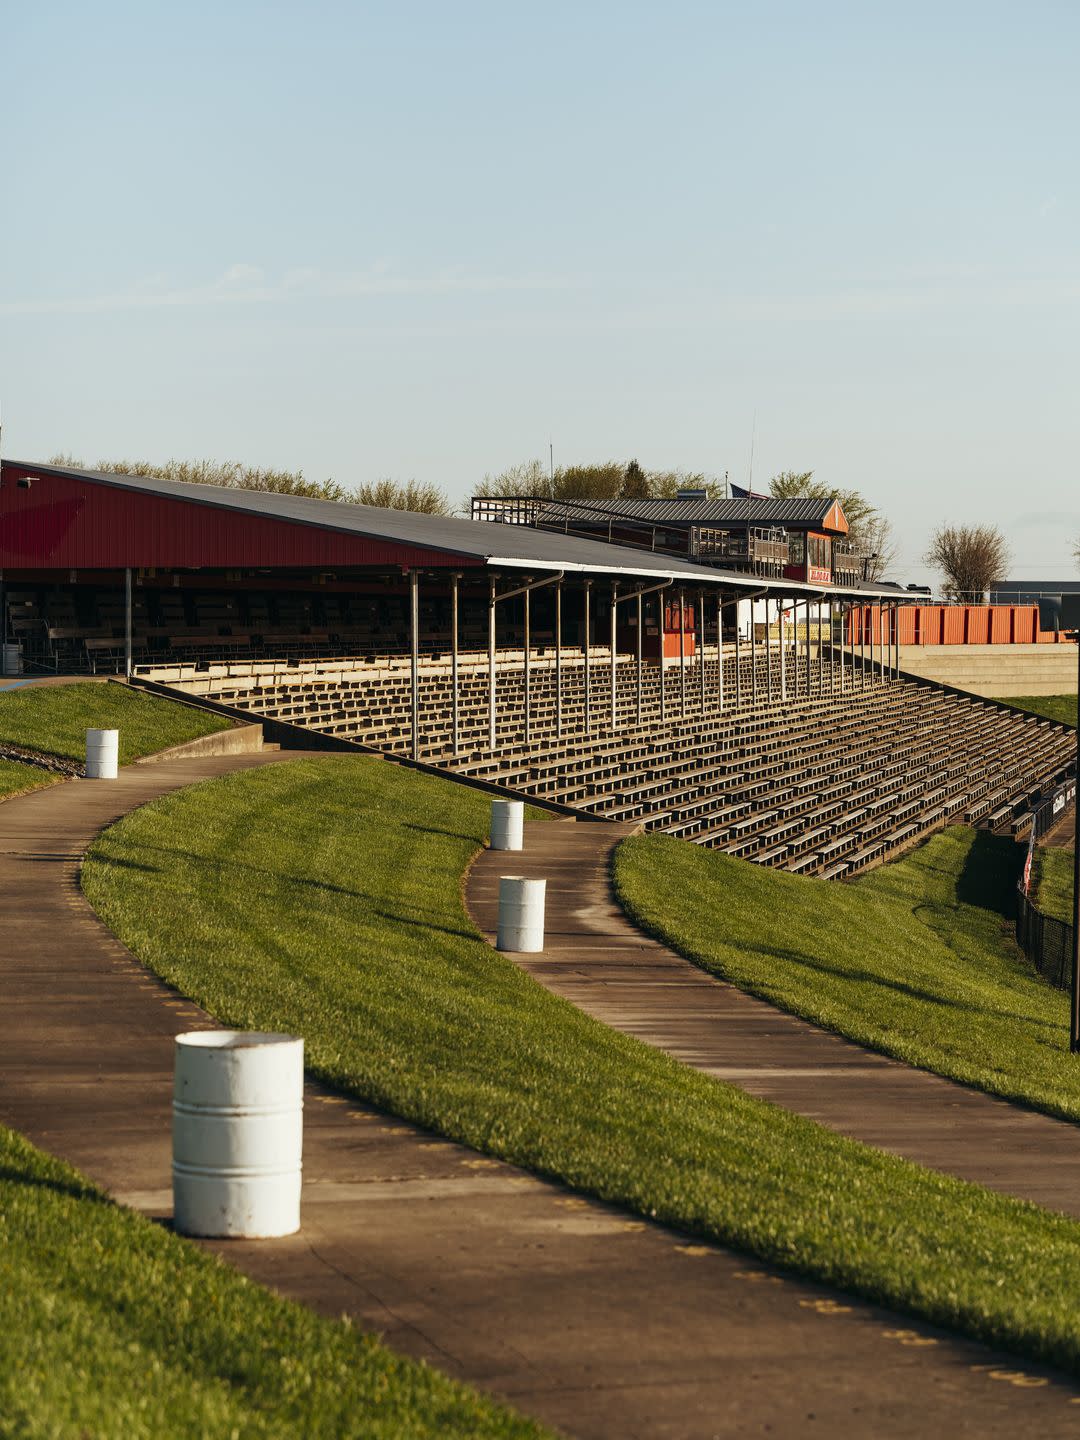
column 610, row 680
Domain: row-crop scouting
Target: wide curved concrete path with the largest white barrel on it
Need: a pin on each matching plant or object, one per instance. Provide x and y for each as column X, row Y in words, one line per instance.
column 580, row 1314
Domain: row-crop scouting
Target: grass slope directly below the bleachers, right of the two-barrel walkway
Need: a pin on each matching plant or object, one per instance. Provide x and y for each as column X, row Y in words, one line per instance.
column 915, row 960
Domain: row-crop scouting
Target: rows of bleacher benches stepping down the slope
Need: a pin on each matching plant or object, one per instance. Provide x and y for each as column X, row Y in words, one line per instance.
column 849, row 774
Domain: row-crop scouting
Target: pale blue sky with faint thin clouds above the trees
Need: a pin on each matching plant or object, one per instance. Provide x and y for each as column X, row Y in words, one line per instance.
column 427, row 241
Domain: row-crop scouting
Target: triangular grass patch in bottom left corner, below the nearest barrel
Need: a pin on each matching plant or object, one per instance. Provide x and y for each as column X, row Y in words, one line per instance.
column 112, row 1326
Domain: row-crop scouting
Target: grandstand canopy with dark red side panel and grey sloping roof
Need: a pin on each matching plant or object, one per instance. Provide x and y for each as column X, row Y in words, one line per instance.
column 58, row 519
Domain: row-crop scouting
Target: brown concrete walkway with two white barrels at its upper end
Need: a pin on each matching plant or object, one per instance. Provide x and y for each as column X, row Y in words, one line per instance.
column 601, row 963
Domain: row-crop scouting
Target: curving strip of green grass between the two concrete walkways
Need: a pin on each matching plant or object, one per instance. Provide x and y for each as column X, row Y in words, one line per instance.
column 323, row 896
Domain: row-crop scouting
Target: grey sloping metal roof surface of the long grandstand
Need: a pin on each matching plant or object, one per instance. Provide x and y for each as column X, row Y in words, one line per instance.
column 493, row 545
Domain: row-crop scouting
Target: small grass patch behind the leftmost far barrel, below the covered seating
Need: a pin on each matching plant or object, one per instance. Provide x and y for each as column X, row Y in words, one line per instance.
column 55, row 719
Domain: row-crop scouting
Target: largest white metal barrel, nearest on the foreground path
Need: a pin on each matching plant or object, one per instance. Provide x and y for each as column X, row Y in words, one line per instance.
column 238, row 1134
